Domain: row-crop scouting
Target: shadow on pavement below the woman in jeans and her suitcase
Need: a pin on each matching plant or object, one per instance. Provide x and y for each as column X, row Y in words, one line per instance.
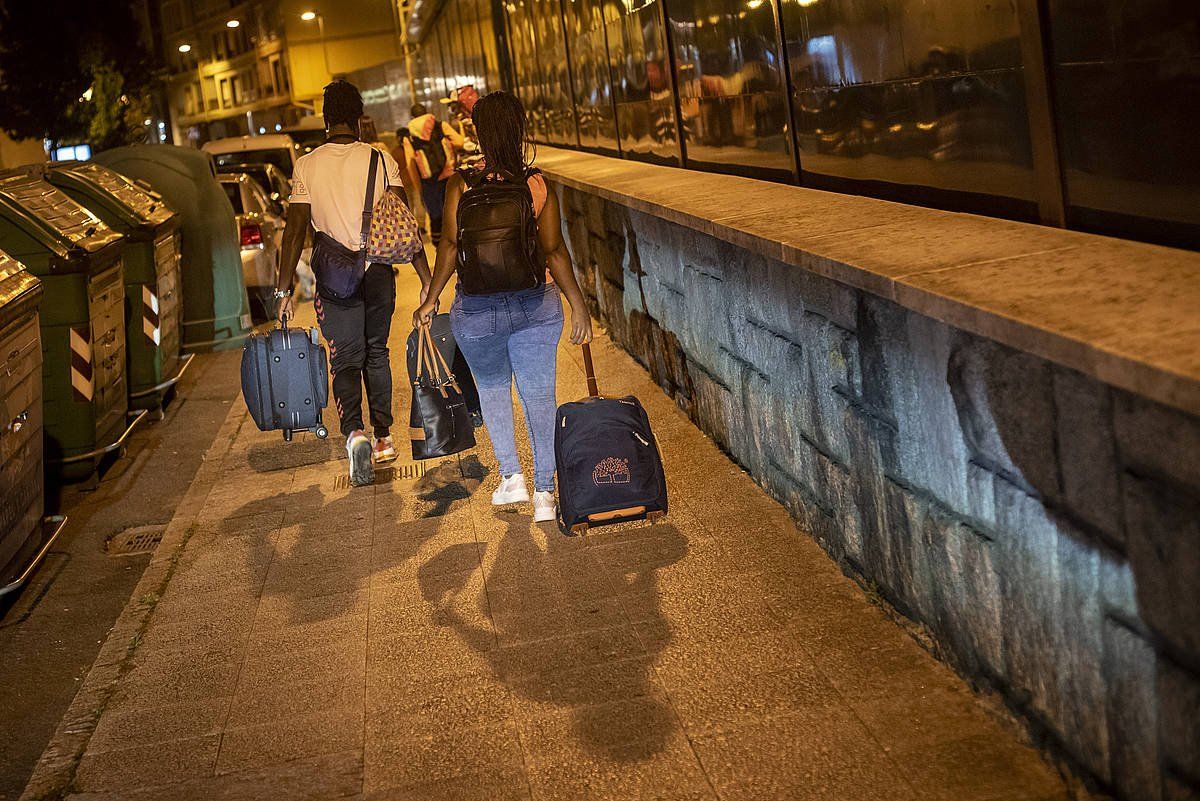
column 599, row 722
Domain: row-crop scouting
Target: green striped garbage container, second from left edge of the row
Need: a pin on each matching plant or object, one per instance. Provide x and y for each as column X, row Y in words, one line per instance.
column 79, row 260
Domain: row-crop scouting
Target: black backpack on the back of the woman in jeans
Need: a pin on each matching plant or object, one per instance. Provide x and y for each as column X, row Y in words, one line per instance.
column 499, row 250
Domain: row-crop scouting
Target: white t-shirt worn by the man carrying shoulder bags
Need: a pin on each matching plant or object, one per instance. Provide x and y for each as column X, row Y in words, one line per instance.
column 333, row 179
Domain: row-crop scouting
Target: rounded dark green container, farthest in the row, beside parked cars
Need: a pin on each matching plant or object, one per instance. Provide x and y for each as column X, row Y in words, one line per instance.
column 217, row 311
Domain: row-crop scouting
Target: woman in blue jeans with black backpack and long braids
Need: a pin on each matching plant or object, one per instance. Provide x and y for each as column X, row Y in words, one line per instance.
column 502, row 230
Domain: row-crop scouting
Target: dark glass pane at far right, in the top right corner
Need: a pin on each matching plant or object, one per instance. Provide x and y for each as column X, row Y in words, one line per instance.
column 1127, row 80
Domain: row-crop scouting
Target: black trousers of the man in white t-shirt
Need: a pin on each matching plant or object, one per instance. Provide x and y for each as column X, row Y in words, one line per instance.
column 357, row 332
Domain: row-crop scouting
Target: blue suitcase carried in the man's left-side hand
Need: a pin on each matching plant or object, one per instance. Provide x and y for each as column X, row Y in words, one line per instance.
column 285, row 381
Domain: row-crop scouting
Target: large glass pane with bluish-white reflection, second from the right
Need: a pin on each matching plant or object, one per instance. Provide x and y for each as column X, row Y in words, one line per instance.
column 898, row 98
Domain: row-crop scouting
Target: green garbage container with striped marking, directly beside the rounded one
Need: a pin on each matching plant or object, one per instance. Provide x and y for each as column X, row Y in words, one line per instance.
column 152, row 272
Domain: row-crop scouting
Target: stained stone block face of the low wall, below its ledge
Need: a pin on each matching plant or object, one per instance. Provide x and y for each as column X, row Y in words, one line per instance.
column 1045, row 527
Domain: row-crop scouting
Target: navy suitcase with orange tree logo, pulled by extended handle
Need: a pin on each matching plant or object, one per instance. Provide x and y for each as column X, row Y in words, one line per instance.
column 609, row 465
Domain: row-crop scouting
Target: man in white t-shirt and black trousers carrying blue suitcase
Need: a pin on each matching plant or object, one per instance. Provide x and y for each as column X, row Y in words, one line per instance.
column 329, row 190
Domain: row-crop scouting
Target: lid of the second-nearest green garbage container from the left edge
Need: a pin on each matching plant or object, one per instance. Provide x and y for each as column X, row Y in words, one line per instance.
column 51, row 215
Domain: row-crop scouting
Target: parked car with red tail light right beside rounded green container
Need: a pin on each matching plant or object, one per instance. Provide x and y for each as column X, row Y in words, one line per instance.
column 260, row 232
